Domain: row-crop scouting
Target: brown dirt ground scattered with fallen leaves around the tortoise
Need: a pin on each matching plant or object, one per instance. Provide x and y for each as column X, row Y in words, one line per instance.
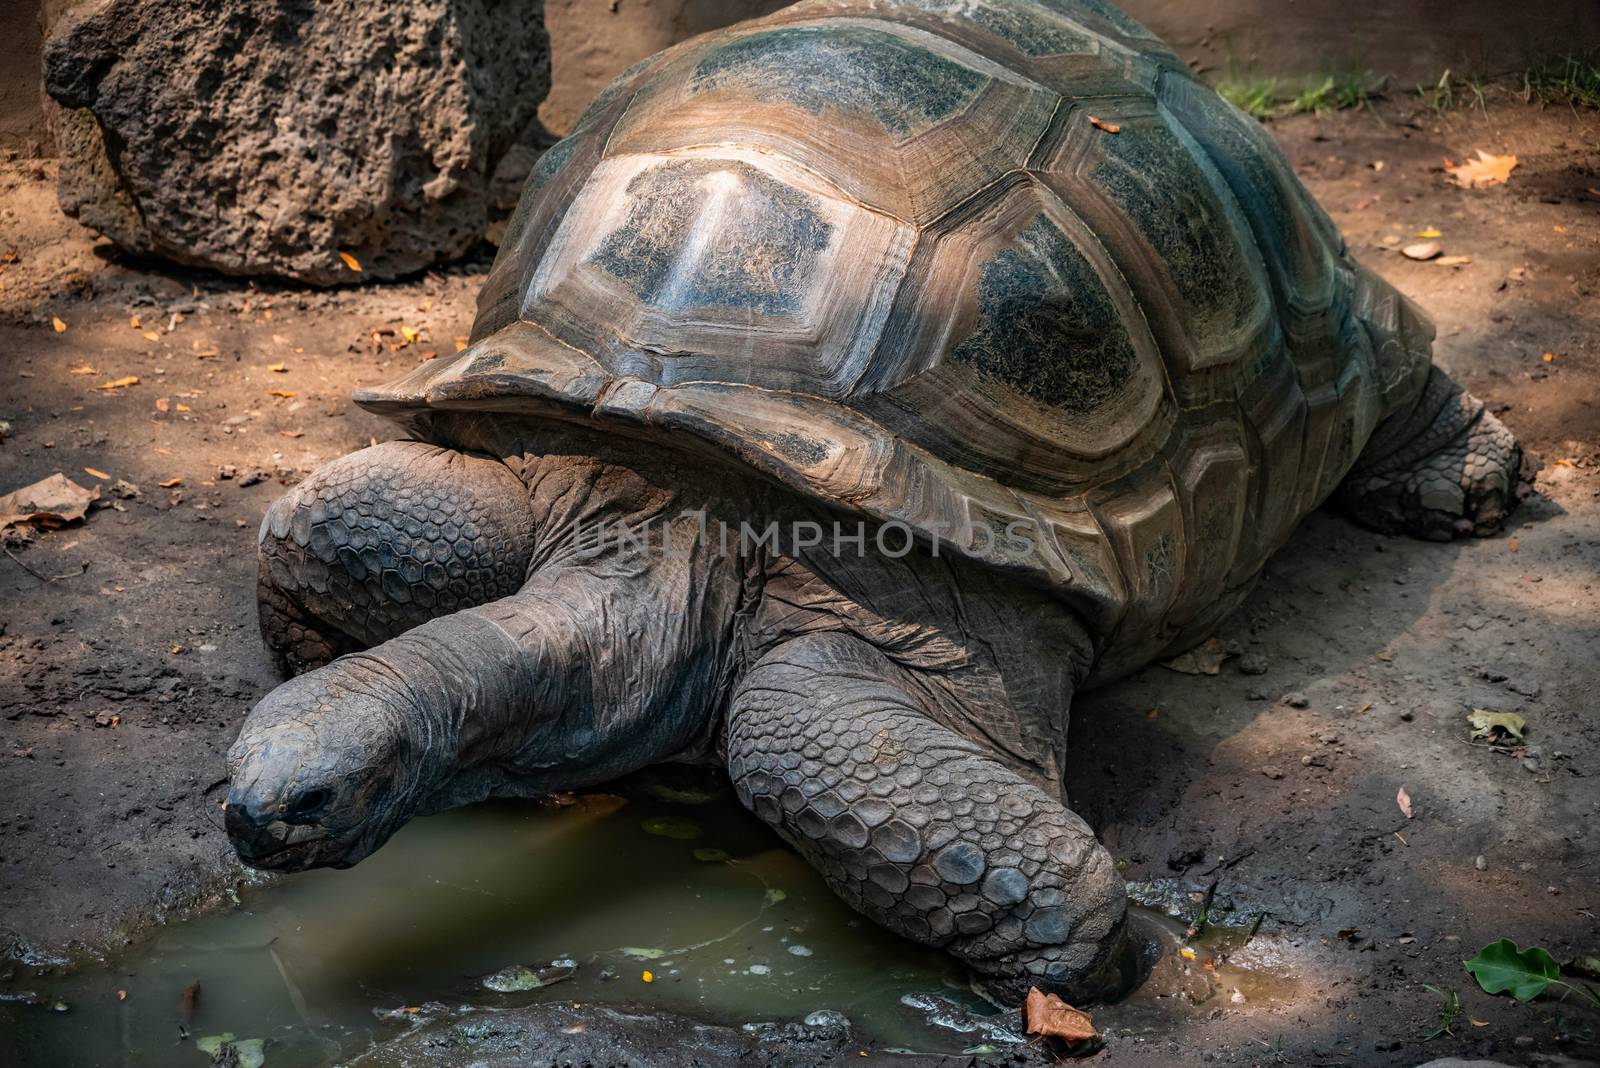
column 129, row 648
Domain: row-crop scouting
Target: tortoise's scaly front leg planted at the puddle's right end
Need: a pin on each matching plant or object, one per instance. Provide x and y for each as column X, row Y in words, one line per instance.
column 922, row 829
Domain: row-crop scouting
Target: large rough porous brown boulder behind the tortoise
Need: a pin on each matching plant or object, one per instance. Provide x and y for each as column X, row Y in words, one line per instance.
column 260, row 138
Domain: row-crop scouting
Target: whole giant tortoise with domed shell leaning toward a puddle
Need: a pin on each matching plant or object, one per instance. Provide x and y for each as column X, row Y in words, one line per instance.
column 854, row 388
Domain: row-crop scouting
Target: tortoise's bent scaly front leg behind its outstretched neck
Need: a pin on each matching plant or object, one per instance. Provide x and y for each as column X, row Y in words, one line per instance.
column 385, row 540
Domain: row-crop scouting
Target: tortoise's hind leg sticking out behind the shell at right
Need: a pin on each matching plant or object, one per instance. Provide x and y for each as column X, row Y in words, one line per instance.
column 1442, row 469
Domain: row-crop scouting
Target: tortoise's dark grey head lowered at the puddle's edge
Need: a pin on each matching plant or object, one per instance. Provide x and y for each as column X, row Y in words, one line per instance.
column 322, row 775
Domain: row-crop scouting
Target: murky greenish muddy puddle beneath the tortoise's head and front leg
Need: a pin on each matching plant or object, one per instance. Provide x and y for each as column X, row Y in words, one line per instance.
column 590, row 898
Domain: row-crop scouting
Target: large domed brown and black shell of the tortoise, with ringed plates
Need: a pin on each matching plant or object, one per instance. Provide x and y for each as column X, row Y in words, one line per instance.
column 958, row 265
